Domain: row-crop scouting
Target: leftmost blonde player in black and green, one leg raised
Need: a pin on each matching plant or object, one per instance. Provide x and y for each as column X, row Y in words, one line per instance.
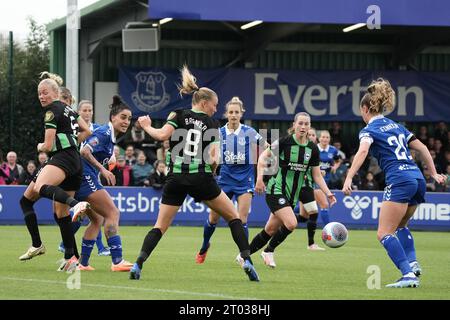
column 61, row 176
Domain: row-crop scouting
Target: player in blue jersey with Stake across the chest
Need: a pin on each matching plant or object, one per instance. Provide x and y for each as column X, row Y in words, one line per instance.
column 237, row 176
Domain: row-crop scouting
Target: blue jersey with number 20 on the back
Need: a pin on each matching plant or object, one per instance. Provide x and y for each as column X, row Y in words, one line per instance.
column 389, row 144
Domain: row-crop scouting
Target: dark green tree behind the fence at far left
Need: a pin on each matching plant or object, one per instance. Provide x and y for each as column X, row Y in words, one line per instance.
column 29, row 61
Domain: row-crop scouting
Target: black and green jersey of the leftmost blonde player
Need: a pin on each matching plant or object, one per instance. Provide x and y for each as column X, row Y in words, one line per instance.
column 62, row 118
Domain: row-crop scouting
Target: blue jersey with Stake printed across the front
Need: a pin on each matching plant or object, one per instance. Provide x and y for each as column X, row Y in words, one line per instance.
column 238, row 160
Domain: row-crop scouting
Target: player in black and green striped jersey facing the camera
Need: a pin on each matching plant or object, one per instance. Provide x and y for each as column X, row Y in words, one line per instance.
column 296, row 155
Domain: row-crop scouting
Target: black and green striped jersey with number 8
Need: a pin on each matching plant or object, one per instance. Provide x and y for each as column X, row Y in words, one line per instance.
column 189, row 144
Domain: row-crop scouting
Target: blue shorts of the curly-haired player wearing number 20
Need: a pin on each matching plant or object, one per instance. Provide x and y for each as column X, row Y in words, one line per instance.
column 411, row 192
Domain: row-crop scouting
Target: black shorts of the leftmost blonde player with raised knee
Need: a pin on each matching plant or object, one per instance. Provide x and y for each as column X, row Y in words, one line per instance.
column 69, row 160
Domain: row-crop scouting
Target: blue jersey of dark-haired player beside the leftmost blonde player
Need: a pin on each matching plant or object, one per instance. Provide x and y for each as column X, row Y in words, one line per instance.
column 101, row 143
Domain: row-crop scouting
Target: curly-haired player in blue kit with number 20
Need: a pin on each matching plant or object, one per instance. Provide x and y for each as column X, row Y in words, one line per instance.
column 390, row 142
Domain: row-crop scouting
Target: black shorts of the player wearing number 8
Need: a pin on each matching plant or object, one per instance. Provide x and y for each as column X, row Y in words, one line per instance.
column 200, row 186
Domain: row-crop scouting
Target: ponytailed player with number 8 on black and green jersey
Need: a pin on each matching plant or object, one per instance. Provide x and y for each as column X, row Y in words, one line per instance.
column 193, row 157
